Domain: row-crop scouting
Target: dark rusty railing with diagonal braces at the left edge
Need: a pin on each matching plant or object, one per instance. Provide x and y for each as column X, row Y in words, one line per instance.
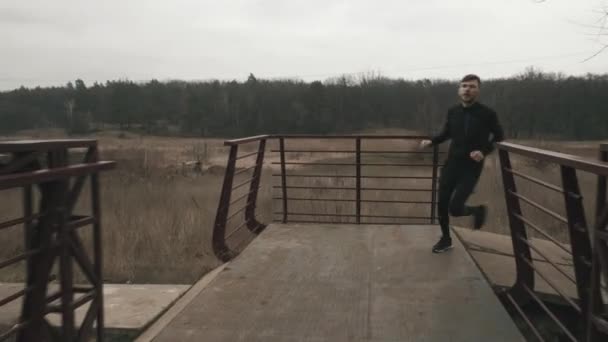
column 50, row 237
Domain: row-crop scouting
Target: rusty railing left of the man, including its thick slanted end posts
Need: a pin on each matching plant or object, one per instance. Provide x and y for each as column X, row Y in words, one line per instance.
column 225, row 248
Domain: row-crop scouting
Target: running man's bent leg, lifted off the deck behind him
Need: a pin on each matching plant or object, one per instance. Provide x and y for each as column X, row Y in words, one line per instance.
column 464, row 188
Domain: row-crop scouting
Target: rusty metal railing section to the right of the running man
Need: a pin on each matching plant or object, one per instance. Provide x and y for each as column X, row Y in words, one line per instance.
column 588, row 306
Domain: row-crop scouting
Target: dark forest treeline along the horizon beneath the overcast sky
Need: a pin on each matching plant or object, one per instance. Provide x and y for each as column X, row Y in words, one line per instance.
column 531, row 104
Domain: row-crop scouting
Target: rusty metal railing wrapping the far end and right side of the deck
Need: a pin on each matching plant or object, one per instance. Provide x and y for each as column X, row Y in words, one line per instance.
column 590, row 265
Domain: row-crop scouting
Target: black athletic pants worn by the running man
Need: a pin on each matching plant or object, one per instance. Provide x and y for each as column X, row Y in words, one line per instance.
column 457, row 181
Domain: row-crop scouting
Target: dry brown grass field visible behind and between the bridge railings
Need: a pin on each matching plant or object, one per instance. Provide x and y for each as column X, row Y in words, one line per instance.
column 158, row 211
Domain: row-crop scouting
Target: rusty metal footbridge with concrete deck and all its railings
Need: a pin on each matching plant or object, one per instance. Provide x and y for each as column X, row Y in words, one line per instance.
column 335, row 263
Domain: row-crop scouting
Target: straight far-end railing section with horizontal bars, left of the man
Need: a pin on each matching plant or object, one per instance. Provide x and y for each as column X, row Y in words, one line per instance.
column 356, row 170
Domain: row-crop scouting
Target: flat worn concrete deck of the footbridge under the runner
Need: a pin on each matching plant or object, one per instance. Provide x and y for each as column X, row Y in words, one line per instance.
column 343, row 283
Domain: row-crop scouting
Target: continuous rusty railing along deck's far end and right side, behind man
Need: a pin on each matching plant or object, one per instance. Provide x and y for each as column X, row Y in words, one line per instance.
column 588, row 268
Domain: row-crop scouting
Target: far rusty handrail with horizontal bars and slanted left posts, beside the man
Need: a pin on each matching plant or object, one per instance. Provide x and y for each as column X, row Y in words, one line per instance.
column 222, row 247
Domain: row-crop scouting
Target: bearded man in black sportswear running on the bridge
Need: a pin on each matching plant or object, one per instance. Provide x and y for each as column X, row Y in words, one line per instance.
column 473, row 129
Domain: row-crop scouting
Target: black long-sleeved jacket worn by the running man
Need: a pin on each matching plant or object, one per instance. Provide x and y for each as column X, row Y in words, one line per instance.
column 470, row 129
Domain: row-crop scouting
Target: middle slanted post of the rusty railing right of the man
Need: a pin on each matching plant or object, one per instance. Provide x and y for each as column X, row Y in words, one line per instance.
column 579, row 237
